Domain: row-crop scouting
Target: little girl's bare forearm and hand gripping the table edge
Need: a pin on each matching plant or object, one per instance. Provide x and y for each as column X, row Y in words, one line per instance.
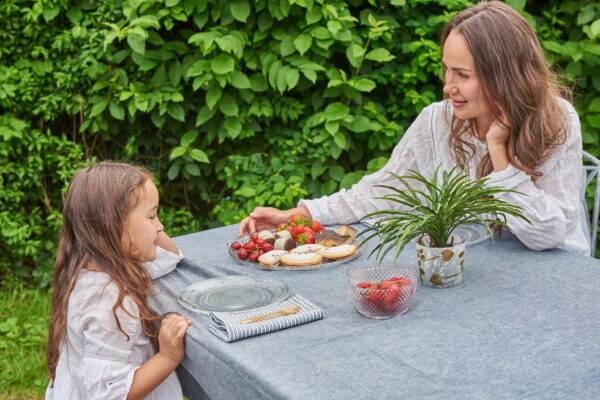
column 154, row 371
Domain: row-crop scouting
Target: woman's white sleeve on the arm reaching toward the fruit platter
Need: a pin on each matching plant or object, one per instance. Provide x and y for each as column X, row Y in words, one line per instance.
column 351, row 205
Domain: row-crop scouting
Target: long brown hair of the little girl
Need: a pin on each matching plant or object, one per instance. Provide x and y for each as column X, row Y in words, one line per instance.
column 98, row 202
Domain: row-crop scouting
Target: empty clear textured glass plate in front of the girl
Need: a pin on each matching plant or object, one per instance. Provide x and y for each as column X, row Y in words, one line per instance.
column 233, row 294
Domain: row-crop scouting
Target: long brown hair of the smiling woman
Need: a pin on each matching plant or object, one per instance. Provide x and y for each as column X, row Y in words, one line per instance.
column 514, row 78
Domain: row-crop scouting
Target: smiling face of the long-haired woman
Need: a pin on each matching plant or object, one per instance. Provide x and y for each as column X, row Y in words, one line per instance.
column 461, row 83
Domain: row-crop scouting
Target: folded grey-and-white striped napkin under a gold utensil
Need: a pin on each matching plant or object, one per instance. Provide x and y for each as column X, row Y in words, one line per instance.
column 227, row 327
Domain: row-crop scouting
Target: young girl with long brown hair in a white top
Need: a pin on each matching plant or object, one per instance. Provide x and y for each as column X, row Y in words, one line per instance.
column 104, row 341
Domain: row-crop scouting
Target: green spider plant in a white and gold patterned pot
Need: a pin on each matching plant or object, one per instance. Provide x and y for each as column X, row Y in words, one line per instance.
column 430, row 211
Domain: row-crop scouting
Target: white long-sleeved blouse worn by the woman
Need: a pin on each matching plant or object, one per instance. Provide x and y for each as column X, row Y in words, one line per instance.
column 552, row 202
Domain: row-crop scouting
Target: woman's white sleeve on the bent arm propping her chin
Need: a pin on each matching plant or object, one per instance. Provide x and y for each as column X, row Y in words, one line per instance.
column 553, row 202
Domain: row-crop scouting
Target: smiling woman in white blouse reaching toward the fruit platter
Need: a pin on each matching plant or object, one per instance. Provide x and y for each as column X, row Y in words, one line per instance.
column 503, row 117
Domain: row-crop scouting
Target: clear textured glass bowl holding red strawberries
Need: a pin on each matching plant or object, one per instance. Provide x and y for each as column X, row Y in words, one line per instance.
column 382, row 292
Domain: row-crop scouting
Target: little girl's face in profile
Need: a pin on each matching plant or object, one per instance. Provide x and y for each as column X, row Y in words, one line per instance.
column 142, row 225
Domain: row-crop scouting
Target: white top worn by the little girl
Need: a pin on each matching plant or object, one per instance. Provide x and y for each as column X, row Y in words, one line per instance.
column 96, row 360
